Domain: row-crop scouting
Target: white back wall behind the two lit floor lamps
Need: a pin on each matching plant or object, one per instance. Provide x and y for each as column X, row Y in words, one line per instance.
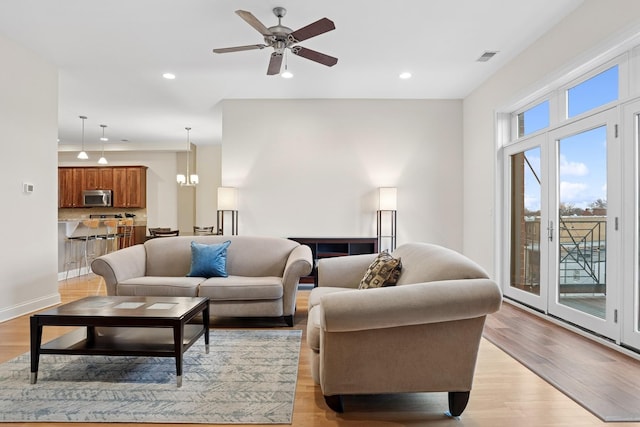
column 312, row 167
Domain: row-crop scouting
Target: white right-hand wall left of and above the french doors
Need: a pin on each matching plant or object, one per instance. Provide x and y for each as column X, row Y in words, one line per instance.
column 590, row 30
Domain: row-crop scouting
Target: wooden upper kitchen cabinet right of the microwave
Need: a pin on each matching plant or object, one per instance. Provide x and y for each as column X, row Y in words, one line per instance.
column 130, row 187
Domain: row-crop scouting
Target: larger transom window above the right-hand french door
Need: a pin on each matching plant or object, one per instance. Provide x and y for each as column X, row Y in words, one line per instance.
column 594, row 92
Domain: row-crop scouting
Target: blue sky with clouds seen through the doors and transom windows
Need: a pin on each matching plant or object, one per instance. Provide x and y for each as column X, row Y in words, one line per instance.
column 582, row 157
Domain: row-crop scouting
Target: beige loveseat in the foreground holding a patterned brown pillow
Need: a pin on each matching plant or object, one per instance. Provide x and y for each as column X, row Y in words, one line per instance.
column 421, row 335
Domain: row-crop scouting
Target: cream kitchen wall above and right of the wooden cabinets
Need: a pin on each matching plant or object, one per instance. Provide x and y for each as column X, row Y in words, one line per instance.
column 162, row 189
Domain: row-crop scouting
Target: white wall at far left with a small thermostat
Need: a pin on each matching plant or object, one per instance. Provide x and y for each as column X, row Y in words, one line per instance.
column 28, row 133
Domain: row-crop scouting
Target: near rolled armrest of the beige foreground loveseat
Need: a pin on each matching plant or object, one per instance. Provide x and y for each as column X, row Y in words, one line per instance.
column 413, row 304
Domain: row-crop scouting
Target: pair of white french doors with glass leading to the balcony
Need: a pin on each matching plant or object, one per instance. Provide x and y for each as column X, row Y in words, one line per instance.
column 563, row 198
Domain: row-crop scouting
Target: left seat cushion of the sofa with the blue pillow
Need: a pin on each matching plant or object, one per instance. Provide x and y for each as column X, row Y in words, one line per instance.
column 158, row 285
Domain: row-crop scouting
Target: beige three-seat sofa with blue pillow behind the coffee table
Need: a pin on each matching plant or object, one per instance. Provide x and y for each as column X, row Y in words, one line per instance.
column 263, row 273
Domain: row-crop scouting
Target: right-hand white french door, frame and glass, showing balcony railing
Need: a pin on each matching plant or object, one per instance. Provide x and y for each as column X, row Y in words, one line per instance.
column 584, row 198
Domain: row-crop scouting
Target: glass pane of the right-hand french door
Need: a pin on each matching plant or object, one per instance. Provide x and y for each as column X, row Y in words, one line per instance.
column 582, row 221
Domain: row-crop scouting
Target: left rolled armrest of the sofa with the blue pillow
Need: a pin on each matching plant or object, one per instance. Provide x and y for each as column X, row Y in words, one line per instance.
column 118, row 266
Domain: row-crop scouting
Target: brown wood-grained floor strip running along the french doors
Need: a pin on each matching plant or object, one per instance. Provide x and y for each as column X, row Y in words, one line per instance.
column 602, row 380
